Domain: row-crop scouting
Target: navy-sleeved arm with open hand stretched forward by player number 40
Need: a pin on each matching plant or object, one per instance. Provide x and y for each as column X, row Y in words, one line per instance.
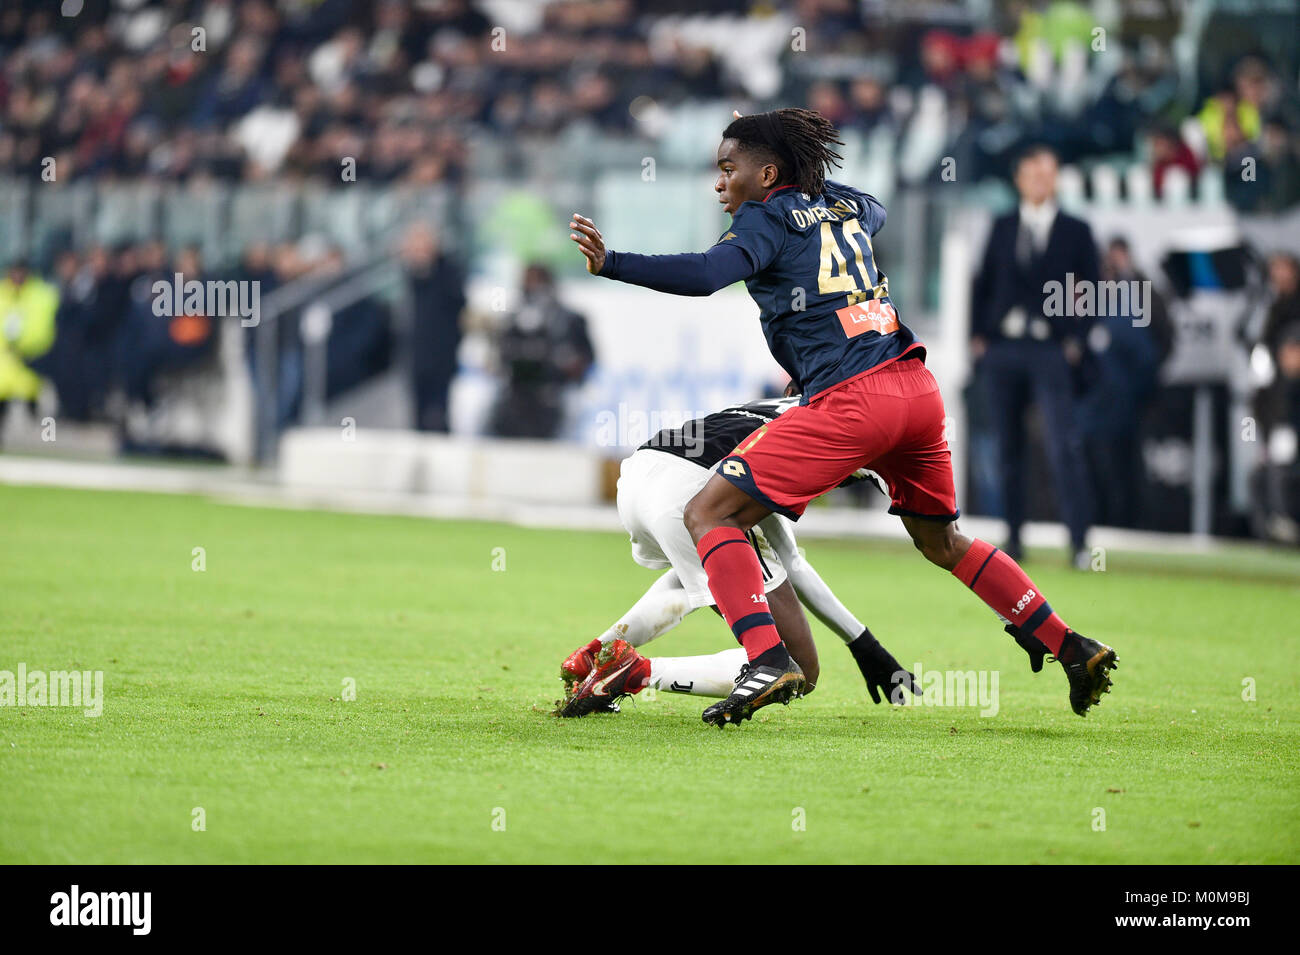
column 690, row 274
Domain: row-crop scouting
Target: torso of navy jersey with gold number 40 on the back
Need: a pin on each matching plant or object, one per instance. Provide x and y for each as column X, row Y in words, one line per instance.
column 824, row 301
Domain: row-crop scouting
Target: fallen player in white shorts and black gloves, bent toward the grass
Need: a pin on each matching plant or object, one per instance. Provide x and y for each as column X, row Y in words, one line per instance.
column 655, row 487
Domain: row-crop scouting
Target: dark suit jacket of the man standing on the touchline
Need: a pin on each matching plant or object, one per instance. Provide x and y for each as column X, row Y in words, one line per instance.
column 1004, row 284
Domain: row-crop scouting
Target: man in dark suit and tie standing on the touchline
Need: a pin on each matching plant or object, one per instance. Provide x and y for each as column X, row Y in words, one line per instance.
column 1029, row 344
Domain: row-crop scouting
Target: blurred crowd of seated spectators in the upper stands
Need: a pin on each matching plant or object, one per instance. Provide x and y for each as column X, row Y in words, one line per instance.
column 419, row 92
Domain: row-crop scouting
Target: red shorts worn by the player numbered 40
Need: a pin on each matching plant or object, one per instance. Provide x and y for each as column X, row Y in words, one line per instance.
column 891, row 420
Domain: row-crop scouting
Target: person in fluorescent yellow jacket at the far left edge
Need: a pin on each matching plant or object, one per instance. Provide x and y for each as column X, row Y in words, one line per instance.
column 28, row 306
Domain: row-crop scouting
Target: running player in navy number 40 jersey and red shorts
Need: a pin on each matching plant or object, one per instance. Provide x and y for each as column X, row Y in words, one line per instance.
column 803, row 246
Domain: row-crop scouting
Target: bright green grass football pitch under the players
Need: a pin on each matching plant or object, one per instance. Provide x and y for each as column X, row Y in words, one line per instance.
column 224, row 692
